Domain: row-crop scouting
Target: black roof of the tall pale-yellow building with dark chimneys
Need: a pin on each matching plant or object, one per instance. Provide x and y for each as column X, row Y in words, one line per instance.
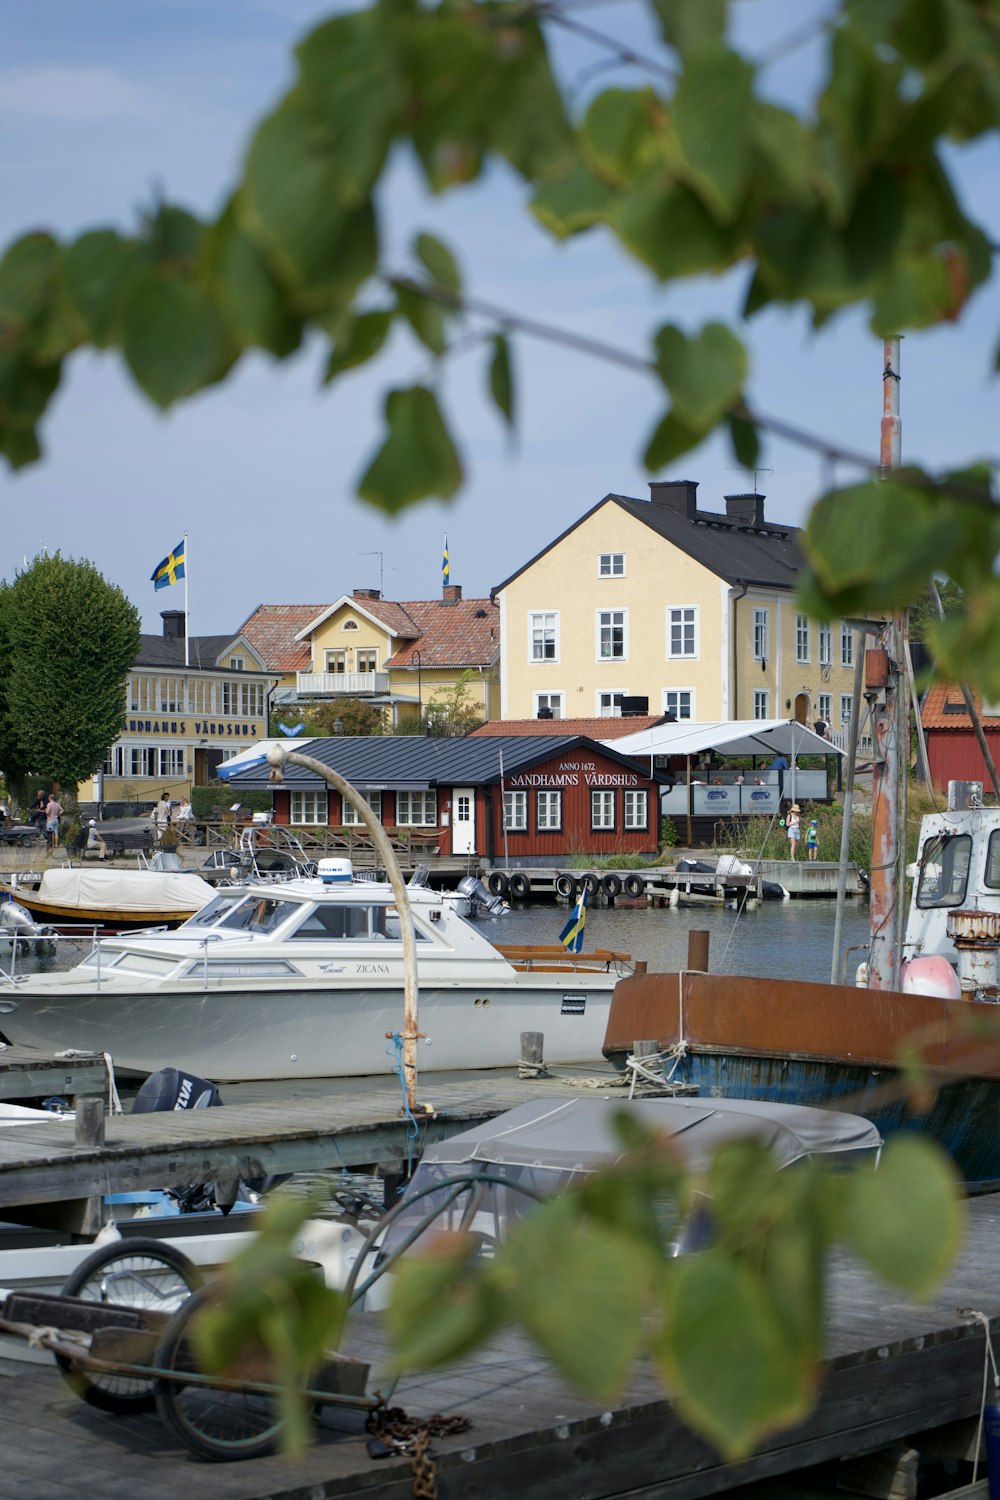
column 729, row 547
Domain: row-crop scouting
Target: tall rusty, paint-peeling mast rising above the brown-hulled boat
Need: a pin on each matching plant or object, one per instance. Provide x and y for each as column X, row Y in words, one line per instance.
column 882, row 683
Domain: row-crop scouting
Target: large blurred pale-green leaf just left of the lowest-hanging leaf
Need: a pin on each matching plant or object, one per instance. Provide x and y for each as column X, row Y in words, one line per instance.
column 579, row 1292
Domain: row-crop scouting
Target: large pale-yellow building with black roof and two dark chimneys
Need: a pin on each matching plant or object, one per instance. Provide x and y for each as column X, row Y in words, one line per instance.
column 689, row 610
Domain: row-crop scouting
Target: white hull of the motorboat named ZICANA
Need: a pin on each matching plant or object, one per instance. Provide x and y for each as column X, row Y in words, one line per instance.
column 316, row 1031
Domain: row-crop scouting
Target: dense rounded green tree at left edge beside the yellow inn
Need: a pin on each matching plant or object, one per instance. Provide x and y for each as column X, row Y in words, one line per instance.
column 68, row 640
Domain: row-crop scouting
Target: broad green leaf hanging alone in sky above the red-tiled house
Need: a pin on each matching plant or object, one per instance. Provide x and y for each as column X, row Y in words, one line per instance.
column 418, row 460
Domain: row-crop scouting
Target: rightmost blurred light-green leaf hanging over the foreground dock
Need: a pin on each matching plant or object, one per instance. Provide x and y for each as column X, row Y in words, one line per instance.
column 914, row 1184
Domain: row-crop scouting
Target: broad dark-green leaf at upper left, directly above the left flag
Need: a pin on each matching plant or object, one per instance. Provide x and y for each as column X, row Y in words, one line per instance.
column 173, row 337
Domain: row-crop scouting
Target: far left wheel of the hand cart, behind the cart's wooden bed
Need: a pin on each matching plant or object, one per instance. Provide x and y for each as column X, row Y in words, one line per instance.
column 145, row 1274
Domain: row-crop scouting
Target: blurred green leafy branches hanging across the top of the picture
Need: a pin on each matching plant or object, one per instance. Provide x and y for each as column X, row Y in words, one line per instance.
column 846, row 203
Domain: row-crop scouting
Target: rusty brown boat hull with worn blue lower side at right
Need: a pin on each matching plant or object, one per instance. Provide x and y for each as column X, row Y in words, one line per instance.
column 797, row 1043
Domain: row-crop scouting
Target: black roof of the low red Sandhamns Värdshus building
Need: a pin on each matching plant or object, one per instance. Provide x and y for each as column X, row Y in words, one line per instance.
column 422, row 761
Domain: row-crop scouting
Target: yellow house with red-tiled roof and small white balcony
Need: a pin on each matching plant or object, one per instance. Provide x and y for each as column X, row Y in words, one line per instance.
column 401, row 656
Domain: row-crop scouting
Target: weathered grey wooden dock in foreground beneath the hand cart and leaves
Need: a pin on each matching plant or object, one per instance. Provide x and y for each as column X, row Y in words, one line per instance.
column 899, row 1379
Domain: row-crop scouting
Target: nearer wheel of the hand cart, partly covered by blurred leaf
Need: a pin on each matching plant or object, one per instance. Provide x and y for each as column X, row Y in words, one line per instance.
column 217, row 1424
